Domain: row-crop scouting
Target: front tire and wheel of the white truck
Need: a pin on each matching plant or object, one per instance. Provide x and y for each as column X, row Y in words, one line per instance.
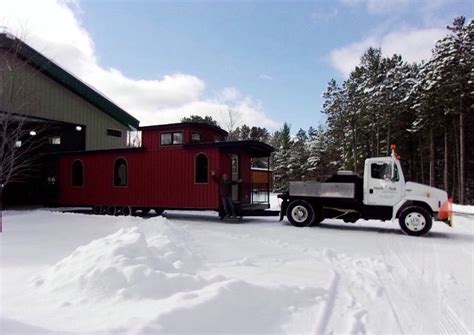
column 415, row 221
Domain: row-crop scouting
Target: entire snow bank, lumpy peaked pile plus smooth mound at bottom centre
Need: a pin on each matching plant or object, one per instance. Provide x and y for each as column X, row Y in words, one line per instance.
column 153, row 266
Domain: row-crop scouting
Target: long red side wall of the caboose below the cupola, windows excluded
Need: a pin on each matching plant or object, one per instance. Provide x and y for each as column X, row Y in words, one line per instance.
column 155, row 179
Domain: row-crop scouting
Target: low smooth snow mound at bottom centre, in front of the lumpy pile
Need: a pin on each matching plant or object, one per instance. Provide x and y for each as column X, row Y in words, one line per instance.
column 232, row 306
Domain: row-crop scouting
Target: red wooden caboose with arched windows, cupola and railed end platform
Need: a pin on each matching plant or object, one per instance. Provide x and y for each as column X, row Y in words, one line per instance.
column 171, row 170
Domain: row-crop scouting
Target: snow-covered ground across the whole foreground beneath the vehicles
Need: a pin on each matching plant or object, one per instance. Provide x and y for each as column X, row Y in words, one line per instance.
column 189, row 272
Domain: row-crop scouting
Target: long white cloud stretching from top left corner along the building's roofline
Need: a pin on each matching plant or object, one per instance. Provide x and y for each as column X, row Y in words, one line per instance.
column 54, row 28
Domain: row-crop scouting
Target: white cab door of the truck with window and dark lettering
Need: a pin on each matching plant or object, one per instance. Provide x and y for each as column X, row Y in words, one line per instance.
column 381, row 189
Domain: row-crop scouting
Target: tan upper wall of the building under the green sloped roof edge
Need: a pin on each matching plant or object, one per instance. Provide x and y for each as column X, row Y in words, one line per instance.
column 45, row 98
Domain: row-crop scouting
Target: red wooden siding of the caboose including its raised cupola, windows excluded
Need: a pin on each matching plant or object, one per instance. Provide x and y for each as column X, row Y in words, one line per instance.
column 158, row 176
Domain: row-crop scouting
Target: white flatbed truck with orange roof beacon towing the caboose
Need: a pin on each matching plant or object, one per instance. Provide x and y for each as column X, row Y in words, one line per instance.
column 381, row 194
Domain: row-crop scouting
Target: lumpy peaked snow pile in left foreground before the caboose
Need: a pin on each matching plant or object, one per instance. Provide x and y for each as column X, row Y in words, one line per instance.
column 125, row 264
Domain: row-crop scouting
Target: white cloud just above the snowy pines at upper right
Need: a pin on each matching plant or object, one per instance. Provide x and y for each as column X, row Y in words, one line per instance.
column 413, row 44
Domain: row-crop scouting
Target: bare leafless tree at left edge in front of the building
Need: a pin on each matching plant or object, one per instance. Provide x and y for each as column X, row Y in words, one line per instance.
column 21, row 137
